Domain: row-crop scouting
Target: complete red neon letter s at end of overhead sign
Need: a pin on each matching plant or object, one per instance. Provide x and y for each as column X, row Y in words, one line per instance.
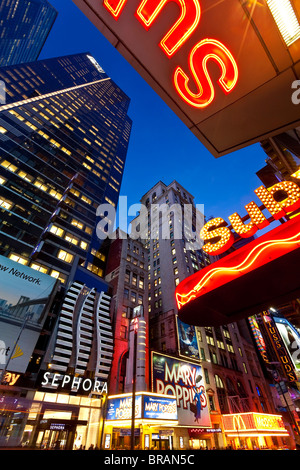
column 208, row 49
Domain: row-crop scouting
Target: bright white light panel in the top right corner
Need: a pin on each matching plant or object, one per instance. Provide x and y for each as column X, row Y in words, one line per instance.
column 286, row 20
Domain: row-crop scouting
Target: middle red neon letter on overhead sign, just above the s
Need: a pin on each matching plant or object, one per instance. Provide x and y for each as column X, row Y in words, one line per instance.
column 189, row 19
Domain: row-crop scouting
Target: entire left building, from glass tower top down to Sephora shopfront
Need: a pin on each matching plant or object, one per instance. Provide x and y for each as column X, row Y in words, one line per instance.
column 64, row 137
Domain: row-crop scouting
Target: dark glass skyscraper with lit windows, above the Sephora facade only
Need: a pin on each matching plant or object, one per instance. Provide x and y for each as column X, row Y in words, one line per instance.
column 64, row 134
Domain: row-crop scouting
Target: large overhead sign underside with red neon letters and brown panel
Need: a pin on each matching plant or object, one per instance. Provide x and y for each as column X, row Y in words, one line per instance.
column 222, row 67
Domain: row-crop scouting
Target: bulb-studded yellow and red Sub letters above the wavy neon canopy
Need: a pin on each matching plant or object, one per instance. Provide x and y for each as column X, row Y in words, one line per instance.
column 218, row 238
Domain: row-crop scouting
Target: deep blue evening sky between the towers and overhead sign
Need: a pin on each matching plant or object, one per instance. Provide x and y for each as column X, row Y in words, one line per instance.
column 161, row 146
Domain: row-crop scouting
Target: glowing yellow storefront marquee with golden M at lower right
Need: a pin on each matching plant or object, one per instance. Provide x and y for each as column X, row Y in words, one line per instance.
column 254, row 431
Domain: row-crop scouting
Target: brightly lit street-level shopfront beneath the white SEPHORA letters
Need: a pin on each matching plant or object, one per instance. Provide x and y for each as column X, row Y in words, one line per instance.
column 51, row 421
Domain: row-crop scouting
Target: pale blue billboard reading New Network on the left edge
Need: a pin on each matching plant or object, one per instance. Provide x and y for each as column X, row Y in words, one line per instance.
column 24, row 298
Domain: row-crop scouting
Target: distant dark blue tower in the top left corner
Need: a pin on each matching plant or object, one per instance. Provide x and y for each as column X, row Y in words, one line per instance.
column 25, row 26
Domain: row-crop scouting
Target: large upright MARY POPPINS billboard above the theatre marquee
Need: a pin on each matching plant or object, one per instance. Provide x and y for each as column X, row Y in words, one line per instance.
column 183, row 379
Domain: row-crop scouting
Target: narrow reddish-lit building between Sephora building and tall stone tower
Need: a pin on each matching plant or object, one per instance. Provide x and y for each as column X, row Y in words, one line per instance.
column 126, row 273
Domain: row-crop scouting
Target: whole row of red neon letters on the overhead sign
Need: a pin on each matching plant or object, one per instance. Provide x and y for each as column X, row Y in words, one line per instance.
column 203, row 52
